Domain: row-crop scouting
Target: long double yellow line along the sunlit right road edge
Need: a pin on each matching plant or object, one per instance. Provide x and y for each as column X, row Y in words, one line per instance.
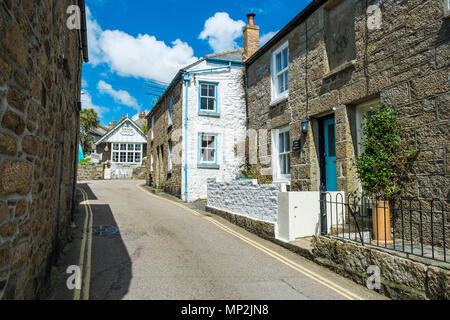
column 306, row 272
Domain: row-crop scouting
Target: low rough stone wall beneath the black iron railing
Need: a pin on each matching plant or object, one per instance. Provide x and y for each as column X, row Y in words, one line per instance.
column 401, row 278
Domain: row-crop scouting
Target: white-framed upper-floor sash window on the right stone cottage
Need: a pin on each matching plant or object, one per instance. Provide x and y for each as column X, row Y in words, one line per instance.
column 280, row 73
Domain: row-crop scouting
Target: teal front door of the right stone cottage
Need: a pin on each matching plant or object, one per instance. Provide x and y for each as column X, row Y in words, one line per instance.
column 329, row 134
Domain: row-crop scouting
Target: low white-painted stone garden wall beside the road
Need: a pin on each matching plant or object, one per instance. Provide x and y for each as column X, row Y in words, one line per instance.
column 245, row 198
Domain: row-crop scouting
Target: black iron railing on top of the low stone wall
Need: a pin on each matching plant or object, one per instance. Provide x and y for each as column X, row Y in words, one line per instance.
column 414, row 226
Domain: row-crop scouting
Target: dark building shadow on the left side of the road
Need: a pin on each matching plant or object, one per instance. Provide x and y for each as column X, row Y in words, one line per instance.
column 110, row 265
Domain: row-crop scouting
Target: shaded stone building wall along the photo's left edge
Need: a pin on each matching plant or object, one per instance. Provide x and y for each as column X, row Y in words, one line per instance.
column 40, row 83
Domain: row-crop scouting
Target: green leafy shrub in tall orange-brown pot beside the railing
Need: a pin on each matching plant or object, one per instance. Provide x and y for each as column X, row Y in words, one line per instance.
column 385, row 165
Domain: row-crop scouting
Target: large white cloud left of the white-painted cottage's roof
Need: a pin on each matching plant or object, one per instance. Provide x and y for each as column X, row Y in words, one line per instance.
column 140, row 57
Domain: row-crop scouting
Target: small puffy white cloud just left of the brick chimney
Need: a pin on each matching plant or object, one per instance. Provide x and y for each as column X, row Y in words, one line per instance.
column 221, row 32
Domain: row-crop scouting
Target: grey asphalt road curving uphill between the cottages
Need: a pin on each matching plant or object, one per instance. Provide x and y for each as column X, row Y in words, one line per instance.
column 164, row 251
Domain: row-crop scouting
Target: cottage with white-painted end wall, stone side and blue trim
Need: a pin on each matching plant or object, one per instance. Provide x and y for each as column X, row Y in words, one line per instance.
column 195, row 128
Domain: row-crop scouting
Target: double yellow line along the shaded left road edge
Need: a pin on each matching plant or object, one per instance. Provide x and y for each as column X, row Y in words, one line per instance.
column 86, row 243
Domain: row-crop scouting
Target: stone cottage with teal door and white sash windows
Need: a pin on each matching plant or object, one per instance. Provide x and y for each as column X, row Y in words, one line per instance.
column 312, row 83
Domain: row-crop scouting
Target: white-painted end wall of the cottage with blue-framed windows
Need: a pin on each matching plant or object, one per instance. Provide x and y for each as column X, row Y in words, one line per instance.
column 230, row 127
